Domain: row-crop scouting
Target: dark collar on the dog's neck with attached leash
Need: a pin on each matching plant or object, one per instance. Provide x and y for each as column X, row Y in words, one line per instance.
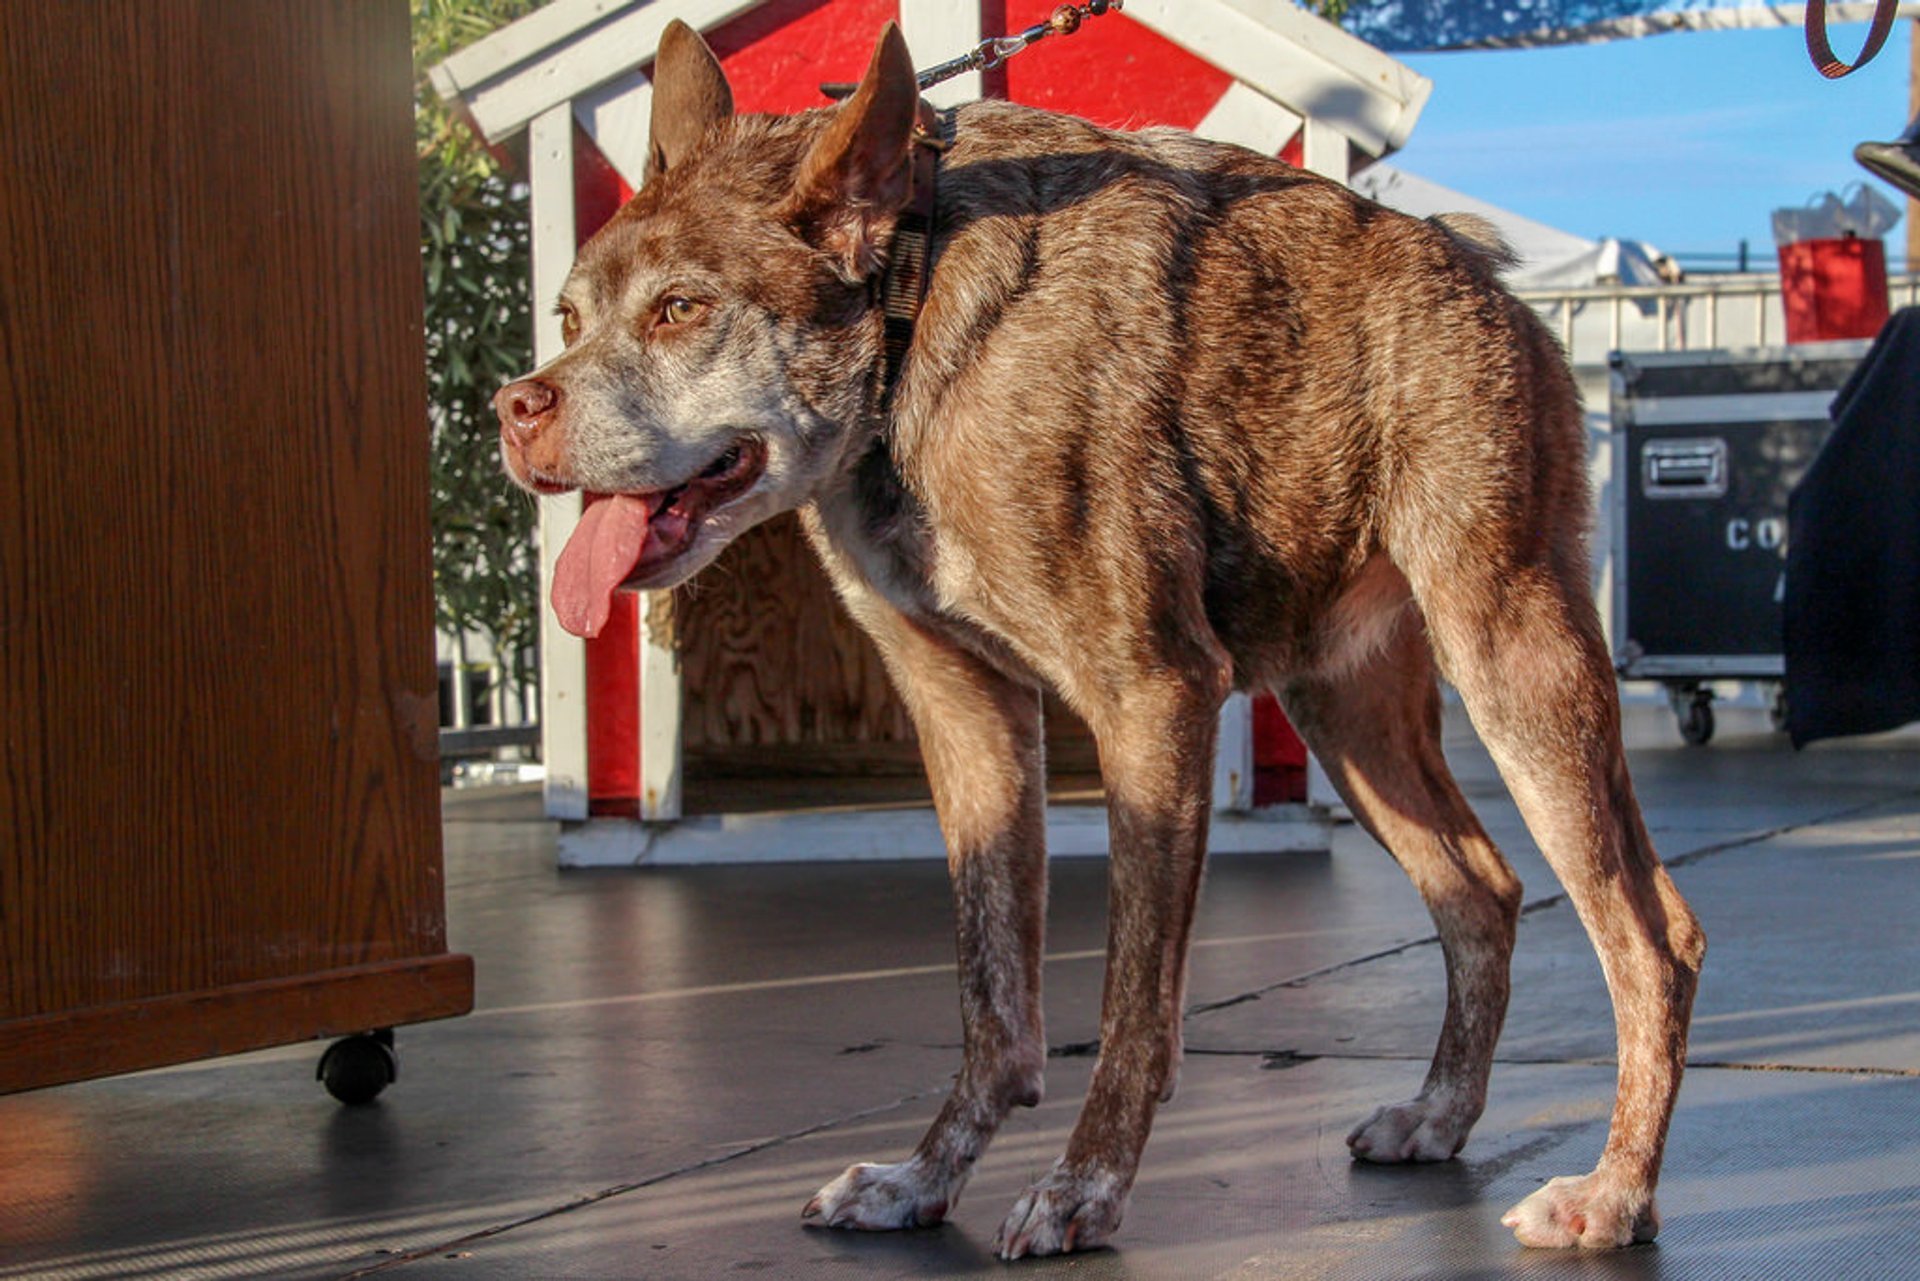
column 905, row 285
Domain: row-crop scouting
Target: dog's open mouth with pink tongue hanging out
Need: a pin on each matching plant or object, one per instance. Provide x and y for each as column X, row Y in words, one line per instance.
column 633, row 537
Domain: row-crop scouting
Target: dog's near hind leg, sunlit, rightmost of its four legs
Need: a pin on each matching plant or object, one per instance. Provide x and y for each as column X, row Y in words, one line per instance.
column 1522, row 640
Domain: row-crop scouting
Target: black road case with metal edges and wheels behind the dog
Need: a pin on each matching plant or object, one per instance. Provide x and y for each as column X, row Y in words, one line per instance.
column 1706, row 450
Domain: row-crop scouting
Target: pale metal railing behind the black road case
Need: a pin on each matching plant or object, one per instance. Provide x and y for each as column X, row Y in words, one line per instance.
column 1702, row 314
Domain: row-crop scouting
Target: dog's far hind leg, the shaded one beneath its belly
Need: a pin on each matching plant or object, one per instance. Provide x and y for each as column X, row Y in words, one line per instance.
column 1376, row 727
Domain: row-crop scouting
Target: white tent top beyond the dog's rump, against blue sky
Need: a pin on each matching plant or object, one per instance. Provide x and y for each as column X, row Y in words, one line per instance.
column 1548, row 256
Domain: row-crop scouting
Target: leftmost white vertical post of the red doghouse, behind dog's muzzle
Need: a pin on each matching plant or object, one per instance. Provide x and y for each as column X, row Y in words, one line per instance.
column 564, row 658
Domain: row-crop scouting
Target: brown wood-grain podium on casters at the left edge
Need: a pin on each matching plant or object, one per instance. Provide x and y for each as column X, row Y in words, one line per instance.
column 220, row 811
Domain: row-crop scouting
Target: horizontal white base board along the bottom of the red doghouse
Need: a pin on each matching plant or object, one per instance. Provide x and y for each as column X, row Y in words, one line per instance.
column 855, row 836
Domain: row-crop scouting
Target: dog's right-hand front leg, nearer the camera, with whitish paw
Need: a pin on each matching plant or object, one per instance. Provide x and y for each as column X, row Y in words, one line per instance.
column 1157, row 756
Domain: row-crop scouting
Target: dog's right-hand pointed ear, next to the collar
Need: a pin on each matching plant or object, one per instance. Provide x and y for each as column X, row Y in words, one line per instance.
column 857, row 178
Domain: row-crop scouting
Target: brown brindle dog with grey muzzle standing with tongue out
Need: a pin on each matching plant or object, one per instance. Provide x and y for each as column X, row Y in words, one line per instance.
column 1176, row 420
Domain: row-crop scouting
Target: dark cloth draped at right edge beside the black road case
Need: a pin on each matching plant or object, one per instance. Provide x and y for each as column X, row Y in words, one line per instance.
column 1854, row 554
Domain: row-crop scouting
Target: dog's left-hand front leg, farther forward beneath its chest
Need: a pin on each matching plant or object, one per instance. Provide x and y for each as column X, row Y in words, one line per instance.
column 980, row 737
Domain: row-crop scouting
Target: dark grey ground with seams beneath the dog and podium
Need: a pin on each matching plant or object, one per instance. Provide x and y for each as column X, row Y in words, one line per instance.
column 665, row 1065
